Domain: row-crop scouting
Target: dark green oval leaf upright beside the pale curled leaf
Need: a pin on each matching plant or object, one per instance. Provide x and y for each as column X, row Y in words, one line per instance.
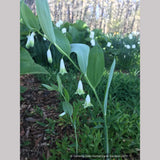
column 95, row 65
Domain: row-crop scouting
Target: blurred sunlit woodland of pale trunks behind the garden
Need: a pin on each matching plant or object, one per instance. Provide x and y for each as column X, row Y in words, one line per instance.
column 121, row 16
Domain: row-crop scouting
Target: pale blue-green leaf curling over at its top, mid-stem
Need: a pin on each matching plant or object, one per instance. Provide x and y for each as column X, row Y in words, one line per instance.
column 82, row 51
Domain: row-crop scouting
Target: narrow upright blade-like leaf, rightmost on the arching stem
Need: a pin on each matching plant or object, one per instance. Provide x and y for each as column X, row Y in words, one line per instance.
column 108, row 85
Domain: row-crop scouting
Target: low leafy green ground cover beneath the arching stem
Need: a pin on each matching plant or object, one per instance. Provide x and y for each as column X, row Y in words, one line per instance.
column 122, row 116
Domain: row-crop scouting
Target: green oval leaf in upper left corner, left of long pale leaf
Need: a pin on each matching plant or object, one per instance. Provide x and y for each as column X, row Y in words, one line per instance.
column 28, row 17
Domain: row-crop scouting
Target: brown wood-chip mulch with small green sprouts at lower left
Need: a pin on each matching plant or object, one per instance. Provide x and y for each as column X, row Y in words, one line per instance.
column 38, row 105
